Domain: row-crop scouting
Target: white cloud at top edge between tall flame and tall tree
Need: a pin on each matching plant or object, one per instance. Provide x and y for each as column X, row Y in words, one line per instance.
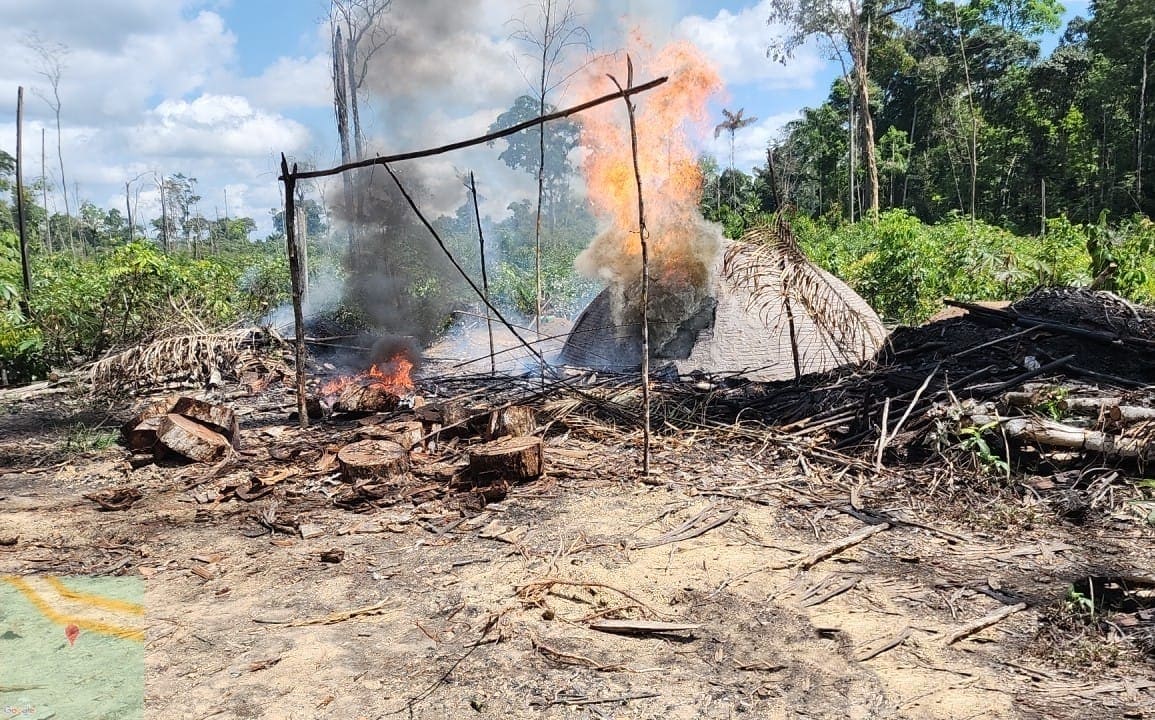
column 737, row 43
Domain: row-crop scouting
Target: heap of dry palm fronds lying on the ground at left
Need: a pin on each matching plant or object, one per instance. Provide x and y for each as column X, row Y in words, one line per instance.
column 198, row 358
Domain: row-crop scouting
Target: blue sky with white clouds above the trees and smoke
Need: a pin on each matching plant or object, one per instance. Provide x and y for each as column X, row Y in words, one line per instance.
column 218, row 90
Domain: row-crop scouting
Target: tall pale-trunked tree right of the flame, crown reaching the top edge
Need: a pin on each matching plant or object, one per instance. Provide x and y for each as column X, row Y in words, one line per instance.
column 847, row 27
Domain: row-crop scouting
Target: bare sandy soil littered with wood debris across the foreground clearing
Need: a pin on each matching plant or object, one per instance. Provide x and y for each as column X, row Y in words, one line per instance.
column 438, row 611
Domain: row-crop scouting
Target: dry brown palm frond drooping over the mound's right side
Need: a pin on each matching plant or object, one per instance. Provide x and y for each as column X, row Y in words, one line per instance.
column 786, row 286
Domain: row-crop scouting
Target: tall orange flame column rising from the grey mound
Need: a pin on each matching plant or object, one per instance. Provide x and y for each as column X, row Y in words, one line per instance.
column 682, row 246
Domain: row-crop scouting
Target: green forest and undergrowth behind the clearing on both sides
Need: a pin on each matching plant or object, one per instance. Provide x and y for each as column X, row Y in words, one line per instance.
column 952, row 159
